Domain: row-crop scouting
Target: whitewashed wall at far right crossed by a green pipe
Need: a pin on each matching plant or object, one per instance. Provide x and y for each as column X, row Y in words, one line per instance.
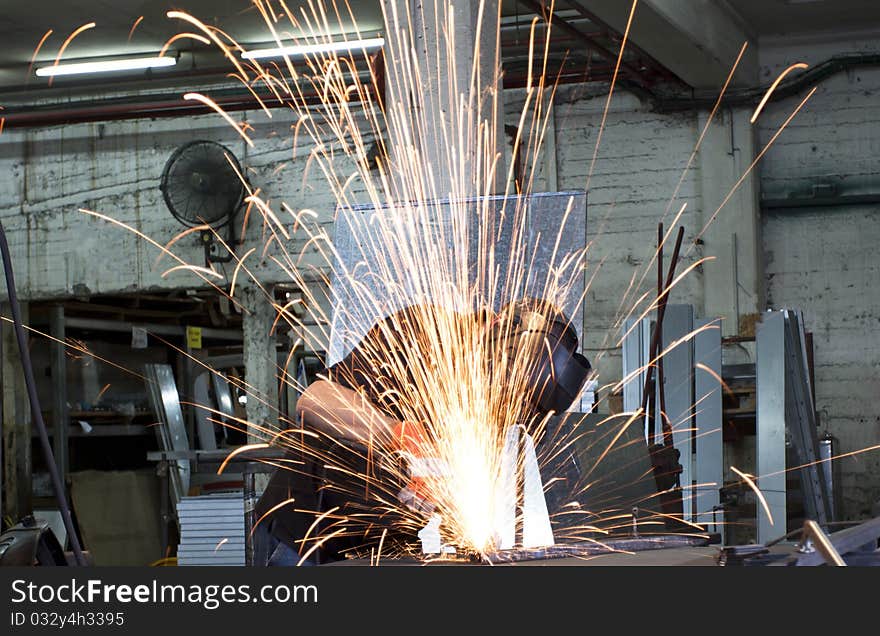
column 824, row 260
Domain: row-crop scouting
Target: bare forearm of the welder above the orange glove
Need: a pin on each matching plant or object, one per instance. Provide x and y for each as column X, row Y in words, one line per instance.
column 342, row 413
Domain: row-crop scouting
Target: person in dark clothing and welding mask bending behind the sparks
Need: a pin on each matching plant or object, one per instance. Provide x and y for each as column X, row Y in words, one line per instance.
column 356, row 402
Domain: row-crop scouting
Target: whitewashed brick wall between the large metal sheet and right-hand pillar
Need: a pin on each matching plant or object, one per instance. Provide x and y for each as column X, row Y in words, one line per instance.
column 641, row 157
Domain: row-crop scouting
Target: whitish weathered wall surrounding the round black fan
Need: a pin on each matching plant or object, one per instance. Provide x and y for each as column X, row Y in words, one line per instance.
column 114, row 168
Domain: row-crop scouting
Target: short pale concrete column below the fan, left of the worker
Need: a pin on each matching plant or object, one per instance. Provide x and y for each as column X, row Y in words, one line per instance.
column 260, row 364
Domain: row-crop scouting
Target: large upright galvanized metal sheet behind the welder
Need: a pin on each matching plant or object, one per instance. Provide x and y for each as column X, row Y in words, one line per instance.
column 362, row 262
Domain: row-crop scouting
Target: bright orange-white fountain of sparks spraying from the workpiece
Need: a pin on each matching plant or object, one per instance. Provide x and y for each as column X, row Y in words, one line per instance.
column 445, row 368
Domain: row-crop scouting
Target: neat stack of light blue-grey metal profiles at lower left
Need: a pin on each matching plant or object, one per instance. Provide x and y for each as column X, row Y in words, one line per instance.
column 211, row 530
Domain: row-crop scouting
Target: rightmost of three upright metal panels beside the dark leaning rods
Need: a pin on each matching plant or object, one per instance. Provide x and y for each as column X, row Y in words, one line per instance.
column 709, row 457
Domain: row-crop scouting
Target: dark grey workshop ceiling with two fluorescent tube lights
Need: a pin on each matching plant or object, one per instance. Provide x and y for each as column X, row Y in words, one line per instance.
column 22, row 26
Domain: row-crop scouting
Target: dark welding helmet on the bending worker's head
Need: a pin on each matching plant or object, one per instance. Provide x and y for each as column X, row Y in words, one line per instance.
column 557, row 373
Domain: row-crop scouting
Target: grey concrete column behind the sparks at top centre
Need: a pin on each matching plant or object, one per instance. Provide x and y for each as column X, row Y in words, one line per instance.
column 448, row 106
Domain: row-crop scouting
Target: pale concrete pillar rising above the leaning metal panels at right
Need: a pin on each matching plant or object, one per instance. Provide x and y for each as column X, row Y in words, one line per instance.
column 733, row 282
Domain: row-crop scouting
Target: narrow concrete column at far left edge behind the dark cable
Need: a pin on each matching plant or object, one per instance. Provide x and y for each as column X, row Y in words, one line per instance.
column 17, row 480
